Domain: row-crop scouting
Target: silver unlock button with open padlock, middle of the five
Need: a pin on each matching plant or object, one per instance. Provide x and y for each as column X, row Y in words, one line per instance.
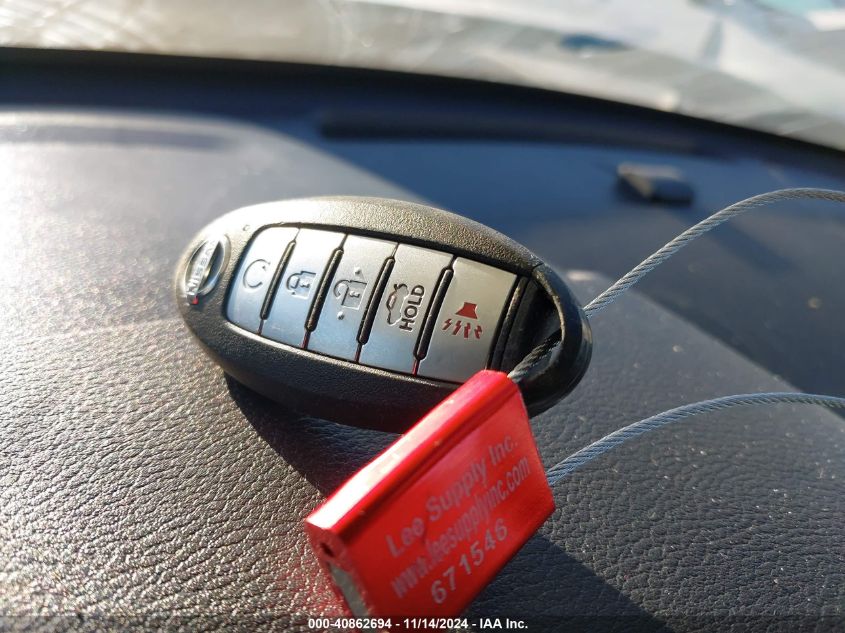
column 348, row 296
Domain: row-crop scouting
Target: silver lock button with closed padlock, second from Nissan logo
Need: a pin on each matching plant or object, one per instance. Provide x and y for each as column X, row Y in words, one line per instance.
column 298, row 286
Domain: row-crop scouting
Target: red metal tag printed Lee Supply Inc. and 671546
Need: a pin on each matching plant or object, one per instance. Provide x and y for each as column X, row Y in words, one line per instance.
column 426, row 525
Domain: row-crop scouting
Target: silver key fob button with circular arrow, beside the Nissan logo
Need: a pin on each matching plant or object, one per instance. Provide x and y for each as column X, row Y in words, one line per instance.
column 252, row 281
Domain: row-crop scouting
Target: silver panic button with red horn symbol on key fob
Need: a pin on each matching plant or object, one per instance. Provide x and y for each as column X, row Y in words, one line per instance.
column 465, row 327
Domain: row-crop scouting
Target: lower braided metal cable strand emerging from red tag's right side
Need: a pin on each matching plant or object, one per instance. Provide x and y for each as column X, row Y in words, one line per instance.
column 611, row 441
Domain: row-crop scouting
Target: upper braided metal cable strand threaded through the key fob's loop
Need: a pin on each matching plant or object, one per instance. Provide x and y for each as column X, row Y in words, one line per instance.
column 653, row 261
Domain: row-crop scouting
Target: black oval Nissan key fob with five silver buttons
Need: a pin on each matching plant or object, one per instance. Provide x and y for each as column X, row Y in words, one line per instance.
column 369, row 311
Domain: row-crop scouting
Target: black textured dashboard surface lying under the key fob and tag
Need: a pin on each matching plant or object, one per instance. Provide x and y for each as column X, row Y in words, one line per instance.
column 140, row 485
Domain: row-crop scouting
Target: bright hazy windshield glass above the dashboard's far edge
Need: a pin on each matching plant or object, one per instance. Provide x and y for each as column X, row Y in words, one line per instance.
column 774, row 65
